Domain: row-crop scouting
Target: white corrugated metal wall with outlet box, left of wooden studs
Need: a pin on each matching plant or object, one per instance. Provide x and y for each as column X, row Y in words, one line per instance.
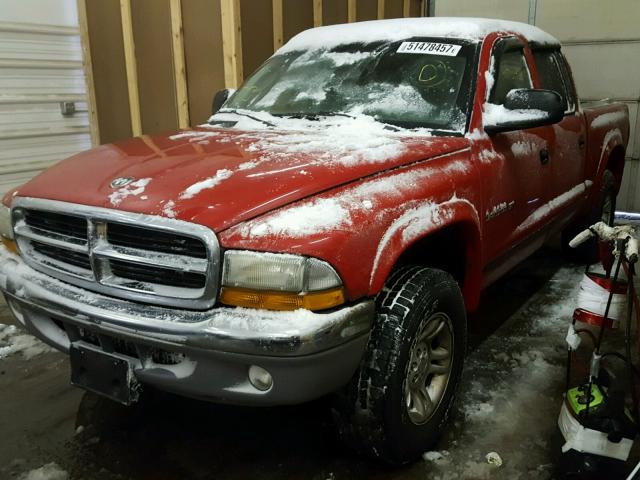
column 40, row 68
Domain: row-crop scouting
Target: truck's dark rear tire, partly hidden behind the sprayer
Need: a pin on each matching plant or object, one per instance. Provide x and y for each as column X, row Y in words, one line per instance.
column 604, row 211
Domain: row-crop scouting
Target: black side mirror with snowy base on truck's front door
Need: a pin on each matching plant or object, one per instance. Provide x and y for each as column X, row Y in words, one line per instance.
column 523, row 108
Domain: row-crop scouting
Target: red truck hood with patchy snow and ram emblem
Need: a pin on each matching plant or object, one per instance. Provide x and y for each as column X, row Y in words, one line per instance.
column 219, row 177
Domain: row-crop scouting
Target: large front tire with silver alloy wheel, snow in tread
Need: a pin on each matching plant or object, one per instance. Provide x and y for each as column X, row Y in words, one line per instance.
column 398, row 402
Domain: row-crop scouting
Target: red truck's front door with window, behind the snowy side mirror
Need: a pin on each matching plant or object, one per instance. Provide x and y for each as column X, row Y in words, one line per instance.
column 515, row 170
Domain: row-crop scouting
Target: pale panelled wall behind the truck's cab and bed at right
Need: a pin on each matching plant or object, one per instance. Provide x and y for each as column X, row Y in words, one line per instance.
column 601, row 41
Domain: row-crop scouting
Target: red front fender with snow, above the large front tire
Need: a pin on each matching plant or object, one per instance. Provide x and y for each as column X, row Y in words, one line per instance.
column 362, row 228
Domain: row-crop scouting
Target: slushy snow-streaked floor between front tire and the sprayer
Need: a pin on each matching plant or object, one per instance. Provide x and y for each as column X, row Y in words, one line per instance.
column 511, row 398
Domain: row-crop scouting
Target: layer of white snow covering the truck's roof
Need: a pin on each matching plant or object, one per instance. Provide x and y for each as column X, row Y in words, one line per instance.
column 474, row 29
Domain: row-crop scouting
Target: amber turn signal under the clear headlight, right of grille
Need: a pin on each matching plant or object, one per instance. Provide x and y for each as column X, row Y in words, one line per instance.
column 239, row 297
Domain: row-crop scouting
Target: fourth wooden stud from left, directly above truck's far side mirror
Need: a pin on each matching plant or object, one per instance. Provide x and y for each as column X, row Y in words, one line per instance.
column 231, row 42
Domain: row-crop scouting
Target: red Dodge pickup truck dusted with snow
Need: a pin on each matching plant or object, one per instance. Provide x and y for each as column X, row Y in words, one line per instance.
column 325, row 232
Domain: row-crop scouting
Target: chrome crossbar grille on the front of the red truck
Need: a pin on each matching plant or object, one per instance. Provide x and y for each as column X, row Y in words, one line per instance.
column 139, row 257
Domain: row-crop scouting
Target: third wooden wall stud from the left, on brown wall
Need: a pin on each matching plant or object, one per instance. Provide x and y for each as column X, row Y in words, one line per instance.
column 179, row 68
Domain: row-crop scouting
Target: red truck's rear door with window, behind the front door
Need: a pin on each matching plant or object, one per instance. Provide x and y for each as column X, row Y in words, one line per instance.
column 568, row 147
